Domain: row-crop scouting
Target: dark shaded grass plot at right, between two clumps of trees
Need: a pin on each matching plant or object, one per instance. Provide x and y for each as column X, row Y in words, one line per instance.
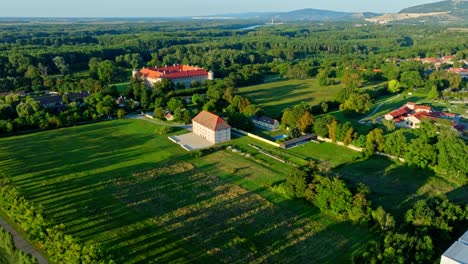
column 392, row 185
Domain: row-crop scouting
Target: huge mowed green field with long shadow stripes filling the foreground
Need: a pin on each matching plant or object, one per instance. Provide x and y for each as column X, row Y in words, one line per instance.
column 148, row 201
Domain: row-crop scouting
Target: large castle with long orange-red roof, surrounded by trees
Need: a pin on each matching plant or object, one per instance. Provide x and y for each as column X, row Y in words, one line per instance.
column 177, row 74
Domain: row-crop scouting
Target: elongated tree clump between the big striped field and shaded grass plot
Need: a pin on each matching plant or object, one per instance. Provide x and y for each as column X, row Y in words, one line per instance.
column 316, row 183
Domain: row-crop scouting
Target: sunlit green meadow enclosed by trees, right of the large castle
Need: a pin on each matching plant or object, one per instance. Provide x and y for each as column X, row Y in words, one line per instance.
column 276, row 96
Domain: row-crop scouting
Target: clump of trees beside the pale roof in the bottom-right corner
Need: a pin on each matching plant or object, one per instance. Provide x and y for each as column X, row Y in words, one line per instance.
column 429, row 228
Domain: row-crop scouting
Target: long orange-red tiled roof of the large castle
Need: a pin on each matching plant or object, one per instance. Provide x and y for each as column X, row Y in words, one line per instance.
column 173, row 72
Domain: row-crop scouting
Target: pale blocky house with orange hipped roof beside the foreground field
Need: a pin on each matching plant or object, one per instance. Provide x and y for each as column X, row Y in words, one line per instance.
column 211, row 127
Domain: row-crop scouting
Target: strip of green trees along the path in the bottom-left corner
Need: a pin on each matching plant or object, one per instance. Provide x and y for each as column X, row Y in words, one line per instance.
column 60, row 247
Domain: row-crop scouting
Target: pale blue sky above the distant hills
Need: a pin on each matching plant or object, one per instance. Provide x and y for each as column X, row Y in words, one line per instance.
column 168, row 8
